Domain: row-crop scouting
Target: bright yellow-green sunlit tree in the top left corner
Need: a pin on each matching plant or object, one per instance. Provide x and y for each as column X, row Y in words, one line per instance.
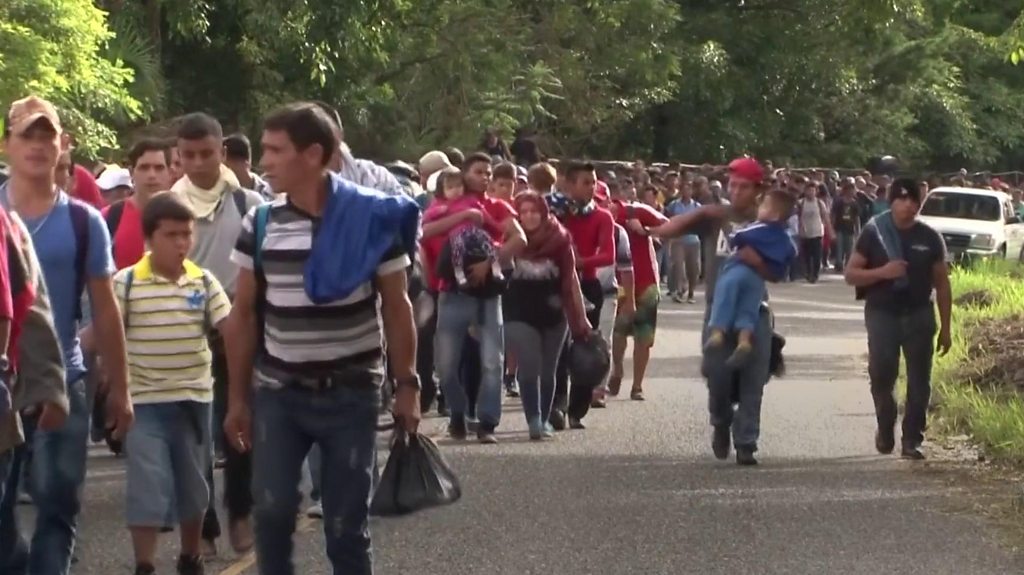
column 55, row 50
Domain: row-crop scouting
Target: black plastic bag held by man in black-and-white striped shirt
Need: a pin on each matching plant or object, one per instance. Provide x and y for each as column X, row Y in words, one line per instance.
column 416, row 477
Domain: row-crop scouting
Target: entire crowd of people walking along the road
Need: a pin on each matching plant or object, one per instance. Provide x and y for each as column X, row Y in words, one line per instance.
column 202, row 316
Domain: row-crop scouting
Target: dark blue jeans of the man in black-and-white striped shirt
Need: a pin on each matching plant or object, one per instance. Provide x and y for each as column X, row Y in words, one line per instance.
column 287, row 423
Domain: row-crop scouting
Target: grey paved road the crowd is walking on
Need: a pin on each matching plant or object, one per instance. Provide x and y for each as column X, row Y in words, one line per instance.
column 639, row 493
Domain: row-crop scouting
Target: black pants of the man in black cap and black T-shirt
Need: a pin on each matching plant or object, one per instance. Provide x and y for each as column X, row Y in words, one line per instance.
column 913, row 333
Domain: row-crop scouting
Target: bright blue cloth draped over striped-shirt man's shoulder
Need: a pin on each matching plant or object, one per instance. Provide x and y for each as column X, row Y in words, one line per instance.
column 359, row 228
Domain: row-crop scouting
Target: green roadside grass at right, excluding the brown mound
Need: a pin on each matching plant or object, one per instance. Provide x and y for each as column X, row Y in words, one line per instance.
column 995, row 419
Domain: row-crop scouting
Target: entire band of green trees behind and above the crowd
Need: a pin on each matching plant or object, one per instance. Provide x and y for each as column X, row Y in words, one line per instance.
column 823, row 82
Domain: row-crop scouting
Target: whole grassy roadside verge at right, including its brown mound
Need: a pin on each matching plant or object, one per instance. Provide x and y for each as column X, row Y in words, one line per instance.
column 979, row 386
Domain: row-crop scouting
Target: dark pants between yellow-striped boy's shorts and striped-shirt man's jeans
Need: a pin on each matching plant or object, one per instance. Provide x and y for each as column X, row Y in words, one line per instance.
column 238, row 467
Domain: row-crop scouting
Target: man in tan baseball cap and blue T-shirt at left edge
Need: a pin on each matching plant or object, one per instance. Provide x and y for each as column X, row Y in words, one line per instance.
column 34, row 142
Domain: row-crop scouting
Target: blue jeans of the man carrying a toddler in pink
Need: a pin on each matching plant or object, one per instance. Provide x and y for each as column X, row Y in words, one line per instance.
column 456, row 314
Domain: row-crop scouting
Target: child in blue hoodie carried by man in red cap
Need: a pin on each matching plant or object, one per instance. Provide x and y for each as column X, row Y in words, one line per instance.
column 761, row 251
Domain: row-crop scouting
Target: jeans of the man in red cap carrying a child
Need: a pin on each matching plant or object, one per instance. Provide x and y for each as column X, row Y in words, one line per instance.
column 741, row 388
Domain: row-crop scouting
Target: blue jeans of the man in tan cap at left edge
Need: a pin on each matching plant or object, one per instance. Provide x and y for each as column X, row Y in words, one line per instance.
column 58, row 474
